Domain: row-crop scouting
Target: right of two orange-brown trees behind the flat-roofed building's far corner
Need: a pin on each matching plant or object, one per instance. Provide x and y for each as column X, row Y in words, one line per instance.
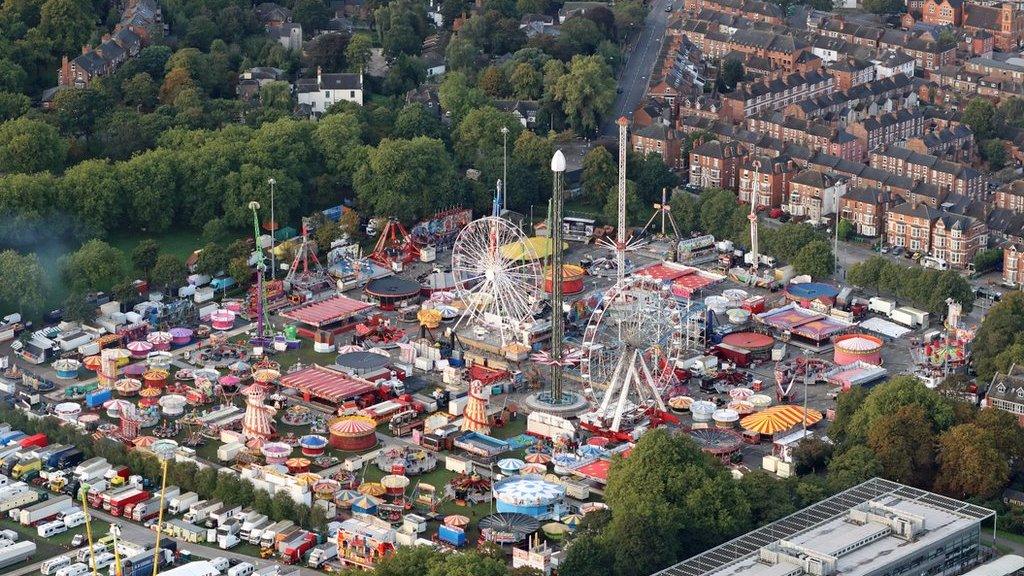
column 970, row 465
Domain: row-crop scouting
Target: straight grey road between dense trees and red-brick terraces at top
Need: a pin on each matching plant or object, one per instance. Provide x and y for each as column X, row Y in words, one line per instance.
column 634, row 75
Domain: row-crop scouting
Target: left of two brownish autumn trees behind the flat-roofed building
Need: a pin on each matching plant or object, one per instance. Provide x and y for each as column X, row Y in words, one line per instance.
column 904, row 443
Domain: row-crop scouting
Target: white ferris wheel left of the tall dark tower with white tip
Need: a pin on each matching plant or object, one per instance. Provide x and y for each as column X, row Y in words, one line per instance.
column 498, row 276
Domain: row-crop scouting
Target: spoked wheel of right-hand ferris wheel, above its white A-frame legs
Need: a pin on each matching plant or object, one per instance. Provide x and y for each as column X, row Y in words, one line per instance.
column 638, row 317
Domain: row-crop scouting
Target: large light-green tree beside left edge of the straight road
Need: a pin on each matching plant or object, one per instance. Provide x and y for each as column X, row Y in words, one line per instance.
column 585, row 93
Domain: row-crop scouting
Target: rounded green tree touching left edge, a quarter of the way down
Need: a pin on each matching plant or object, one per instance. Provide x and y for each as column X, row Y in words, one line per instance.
column 31, row 146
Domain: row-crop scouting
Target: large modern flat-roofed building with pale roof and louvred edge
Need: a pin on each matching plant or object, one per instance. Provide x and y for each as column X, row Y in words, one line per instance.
column 874, row 529
